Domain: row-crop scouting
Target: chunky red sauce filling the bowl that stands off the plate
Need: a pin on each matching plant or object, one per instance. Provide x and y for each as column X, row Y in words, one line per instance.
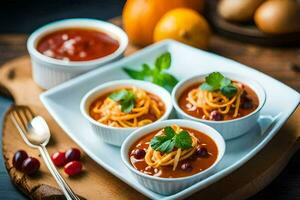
column 76, row 44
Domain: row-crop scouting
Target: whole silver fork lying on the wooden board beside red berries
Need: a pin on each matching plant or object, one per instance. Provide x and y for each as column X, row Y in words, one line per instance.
column 35, row 132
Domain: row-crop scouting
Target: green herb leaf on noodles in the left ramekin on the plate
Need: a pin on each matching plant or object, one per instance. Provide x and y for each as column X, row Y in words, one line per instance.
column 125, row 98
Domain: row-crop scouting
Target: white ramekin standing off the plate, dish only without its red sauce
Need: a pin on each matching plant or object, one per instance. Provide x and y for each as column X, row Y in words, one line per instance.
column 48, row 72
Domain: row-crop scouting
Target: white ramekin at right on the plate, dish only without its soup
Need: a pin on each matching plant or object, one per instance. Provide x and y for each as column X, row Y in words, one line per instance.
column 229, row 128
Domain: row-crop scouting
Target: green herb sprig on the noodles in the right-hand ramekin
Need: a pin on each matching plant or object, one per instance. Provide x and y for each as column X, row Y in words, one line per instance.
column 216, row 81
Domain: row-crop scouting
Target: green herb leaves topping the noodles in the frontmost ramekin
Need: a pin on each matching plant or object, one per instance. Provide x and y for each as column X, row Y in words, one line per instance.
column 166, row 143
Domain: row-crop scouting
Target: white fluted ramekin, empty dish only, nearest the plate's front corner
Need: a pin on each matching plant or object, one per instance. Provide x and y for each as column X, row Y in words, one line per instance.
column 168, row 186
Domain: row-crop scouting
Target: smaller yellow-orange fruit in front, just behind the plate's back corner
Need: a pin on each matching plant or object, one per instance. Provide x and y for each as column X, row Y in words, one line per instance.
column 184, row 25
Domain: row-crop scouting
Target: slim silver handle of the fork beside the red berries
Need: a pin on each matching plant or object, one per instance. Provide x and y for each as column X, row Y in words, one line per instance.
column 68, row 192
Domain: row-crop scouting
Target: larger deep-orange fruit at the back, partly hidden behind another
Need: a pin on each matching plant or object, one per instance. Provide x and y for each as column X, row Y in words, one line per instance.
column 140, row 16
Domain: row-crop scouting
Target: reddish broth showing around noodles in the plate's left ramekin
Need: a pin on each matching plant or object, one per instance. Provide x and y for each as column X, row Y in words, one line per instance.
column 149, row 115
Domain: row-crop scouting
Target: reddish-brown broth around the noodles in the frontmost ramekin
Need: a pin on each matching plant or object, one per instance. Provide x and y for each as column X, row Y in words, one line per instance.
column 198, row 163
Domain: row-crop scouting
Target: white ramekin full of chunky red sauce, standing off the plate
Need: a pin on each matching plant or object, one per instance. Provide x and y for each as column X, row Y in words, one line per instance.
column 64, row 49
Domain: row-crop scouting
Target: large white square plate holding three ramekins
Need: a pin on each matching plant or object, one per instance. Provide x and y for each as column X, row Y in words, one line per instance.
column 63, row 104
